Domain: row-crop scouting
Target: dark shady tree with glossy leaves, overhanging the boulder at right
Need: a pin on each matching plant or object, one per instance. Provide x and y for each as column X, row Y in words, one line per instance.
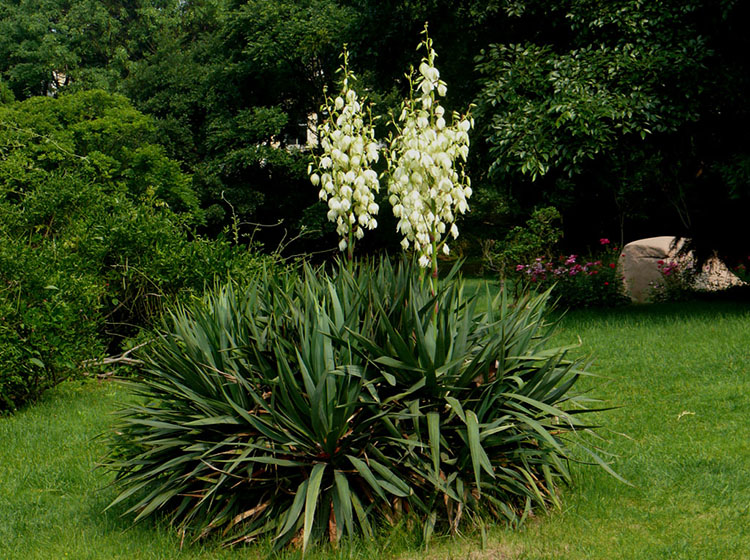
column 627, row 110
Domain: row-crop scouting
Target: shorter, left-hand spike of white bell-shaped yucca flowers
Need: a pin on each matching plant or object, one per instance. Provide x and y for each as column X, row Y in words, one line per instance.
column 345, row 176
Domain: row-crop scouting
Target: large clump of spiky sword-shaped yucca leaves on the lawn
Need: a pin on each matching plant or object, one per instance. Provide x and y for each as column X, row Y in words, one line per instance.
column 306, row 408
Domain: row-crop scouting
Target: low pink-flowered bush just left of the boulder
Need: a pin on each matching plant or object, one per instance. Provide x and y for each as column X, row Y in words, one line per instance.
column 578, row 281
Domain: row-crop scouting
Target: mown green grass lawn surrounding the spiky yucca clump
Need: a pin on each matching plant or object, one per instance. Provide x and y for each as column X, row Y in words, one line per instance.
column 679, row 374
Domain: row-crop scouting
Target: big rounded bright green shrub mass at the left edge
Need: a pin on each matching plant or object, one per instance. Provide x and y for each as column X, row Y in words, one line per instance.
column 95, row 235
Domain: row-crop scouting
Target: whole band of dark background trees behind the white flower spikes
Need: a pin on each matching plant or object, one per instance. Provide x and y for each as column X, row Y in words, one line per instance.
column 627, row 116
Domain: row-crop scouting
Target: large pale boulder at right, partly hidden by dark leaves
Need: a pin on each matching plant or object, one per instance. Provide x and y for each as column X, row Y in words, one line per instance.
column 640, row 262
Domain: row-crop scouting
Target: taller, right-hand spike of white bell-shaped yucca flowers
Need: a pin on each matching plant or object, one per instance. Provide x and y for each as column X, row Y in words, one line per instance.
column 428, row 187
